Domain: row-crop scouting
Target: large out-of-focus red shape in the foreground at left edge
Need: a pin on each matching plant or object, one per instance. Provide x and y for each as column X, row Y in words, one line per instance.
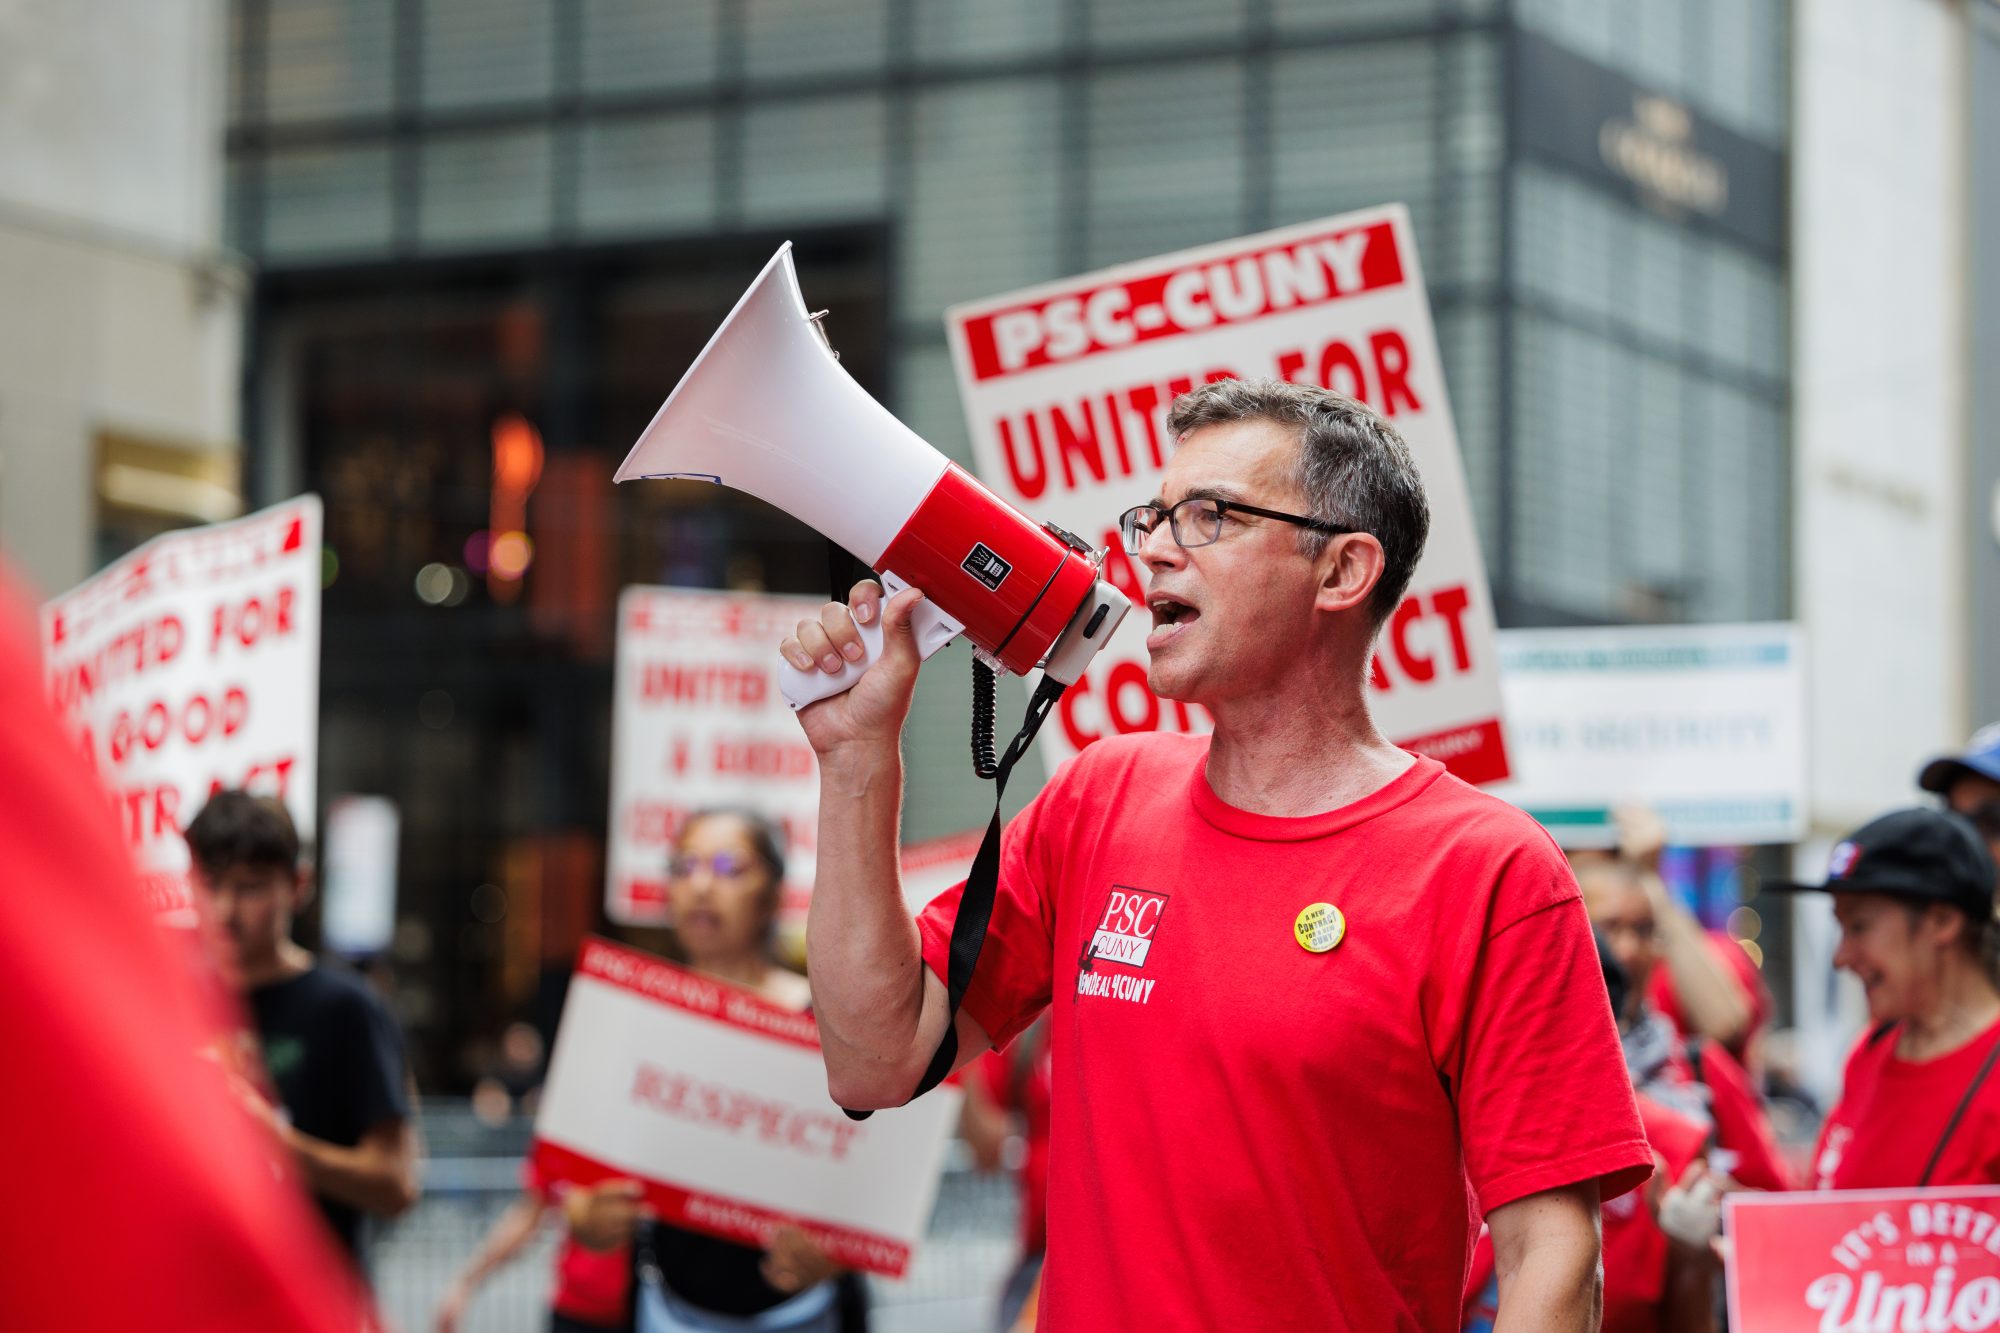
column 145, row 1196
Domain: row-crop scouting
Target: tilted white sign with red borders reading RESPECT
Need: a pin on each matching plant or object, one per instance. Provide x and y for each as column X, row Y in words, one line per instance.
column 717, row 1102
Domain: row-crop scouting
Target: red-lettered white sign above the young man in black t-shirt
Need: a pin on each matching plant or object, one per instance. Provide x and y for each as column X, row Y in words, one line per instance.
column 193, row 665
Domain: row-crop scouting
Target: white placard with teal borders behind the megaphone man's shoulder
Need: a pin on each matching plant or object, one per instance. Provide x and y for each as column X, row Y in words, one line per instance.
column 1705, row 724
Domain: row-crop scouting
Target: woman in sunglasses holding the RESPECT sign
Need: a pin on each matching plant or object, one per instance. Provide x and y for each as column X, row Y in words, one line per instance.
column 725, row 882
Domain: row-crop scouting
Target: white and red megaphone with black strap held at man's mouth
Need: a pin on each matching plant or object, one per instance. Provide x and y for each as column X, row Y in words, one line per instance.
column 767, row 409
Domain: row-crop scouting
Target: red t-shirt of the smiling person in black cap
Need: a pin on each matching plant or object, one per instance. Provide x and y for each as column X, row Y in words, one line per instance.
column 1893, row 1112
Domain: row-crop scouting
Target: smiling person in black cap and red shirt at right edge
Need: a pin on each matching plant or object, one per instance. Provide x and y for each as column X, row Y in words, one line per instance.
column 1913, row 894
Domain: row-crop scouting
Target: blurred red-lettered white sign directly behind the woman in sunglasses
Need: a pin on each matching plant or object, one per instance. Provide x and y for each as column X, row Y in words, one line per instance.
column 699, row 724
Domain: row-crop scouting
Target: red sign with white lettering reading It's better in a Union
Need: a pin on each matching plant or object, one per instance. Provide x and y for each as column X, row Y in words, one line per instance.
column 1855, row 1262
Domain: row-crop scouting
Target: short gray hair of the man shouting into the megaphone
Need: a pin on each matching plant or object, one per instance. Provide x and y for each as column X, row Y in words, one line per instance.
column 1353, row 469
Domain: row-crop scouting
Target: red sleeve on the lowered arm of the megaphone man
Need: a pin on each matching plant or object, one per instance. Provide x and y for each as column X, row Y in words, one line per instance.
column 1543, row 1090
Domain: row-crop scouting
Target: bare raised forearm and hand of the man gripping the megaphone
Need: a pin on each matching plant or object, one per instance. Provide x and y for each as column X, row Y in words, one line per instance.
column 881, row 1010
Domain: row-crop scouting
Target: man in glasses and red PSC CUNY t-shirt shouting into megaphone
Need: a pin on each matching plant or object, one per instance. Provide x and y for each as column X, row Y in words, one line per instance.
column 1317, row 1006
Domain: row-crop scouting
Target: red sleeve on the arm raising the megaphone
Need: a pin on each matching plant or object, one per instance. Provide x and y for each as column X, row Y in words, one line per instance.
column 1013, row 980
